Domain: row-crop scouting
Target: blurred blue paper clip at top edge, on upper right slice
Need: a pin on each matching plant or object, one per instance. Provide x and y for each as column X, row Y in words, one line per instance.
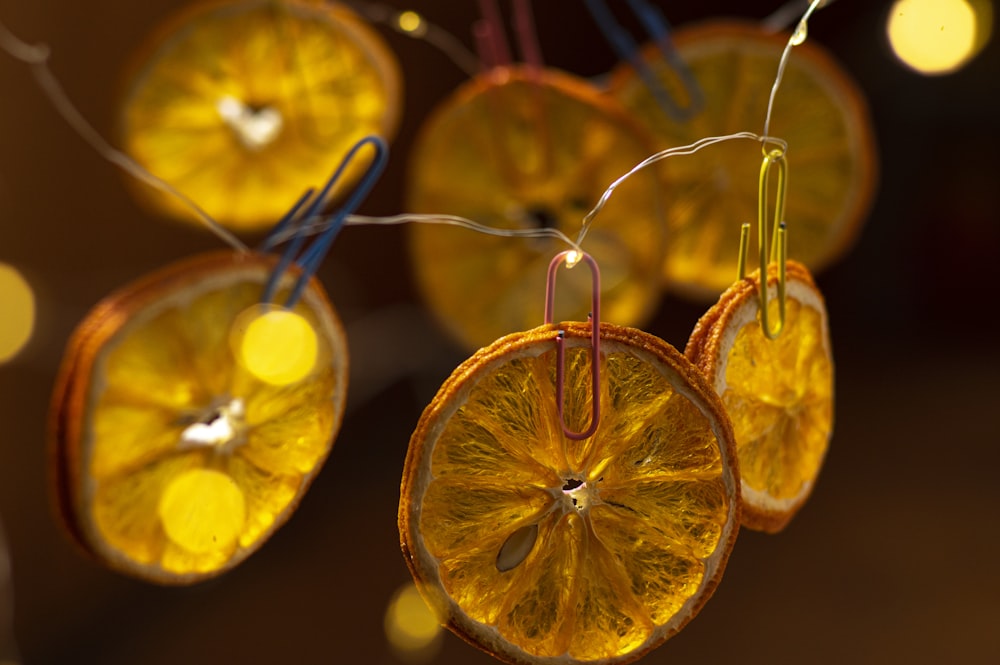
column 625, row 47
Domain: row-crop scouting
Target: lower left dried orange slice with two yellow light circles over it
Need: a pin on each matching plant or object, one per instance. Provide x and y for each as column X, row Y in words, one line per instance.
column 179, row 446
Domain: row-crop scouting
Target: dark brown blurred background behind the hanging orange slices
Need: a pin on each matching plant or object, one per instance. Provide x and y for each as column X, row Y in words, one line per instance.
column 895, row 558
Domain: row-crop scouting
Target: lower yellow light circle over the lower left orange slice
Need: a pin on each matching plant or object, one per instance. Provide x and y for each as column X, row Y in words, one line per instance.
column 202, row 511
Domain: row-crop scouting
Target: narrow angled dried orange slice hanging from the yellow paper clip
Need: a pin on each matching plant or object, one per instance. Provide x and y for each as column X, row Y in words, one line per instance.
column 778, row 393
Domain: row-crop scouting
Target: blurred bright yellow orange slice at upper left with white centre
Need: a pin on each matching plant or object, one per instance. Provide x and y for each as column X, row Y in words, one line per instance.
column 243, row 105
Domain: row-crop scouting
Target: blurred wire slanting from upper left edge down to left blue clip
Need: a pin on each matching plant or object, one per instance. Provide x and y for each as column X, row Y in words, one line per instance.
column 37, row 58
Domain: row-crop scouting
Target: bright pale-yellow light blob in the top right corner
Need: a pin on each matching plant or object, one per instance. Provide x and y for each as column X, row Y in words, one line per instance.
column 933, row 36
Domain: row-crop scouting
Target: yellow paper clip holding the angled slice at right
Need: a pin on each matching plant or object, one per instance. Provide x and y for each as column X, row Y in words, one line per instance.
column 780, row 239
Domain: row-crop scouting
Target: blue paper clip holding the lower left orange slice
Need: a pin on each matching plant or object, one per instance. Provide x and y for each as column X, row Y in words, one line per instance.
column 310, row 259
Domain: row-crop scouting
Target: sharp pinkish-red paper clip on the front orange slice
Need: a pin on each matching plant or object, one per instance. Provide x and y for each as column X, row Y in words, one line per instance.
column 572, row 257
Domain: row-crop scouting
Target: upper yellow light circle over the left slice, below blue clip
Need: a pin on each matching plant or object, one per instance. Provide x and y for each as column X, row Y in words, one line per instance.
column 277, row 346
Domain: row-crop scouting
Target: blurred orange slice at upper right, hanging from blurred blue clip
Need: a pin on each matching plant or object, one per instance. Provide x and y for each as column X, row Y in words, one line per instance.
column 818, row 110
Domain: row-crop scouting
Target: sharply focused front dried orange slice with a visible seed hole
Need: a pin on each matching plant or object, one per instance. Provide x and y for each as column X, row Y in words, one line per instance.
column 541, row 549
